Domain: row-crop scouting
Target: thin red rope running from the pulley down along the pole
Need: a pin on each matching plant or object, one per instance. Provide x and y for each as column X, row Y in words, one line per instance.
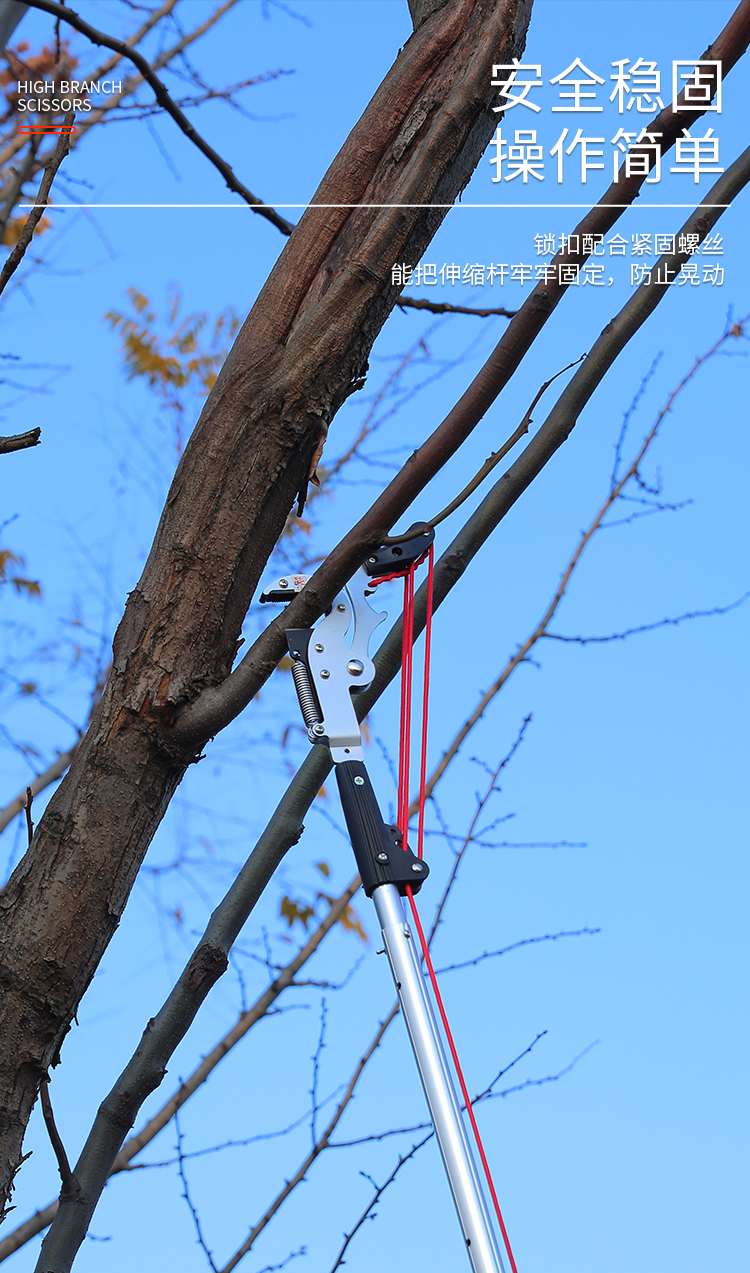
column 403, row 819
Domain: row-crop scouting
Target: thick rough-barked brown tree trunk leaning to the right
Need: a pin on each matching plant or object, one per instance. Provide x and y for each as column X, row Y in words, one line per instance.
column 302, row 351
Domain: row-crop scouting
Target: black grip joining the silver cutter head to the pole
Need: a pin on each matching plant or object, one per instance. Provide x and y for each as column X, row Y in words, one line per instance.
column 379, row 848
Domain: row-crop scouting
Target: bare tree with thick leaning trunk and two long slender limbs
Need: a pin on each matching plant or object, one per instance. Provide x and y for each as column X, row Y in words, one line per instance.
column 301, row 353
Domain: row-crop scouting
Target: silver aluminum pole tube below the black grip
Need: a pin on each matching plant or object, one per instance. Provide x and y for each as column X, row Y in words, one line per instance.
column 436, row 1078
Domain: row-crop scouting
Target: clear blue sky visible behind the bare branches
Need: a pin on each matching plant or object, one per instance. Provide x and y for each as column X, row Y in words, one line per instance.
column 637, row 750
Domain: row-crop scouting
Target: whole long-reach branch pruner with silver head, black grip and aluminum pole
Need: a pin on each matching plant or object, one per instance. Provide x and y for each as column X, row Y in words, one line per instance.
column 327, row 670
